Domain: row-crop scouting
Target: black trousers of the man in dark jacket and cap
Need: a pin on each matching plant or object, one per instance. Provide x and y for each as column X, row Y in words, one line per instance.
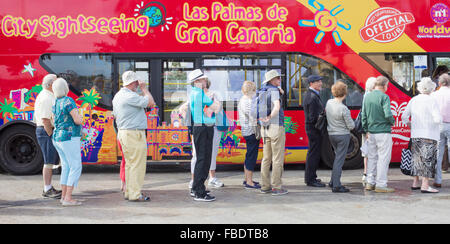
column 313, row 155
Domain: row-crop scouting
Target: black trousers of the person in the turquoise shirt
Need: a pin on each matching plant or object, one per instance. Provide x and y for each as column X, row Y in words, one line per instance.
column 203, row 140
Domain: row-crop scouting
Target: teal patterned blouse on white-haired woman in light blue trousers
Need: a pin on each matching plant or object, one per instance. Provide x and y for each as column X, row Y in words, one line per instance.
column 65, row 127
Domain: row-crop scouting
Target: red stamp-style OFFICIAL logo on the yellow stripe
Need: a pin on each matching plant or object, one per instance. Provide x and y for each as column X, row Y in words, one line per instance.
column 385, row 25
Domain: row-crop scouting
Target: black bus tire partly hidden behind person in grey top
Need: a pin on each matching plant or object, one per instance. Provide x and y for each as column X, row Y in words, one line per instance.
column 353, row 160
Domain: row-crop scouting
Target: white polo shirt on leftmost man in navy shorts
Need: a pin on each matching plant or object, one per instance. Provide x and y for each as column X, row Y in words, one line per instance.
column 43, row 107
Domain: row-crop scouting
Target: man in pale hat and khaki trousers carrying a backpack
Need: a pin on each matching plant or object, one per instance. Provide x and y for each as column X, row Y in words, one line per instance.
column 273, row 133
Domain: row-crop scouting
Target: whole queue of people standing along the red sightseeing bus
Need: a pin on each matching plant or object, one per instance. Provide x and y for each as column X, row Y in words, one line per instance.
column 261, row 117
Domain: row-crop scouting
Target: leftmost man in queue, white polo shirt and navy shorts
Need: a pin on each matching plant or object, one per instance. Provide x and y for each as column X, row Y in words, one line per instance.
column 44, row 129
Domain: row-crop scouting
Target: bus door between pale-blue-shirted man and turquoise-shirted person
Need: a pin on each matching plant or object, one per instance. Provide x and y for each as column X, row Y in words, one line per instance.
column 167, row 138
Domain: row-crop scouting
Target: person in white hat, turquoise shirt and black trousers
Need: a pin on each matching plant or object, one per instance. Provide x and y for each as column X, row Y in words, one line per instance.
column 203, row 121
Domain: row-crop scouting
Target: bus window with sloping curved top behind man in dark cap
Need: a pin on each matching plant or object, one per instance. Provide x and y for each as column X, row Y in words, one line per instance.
column 300, row 66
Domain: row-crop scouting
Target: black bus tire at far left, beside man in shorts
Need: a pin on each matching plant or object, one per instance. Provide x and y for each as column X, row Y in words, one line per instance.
column 20, row 153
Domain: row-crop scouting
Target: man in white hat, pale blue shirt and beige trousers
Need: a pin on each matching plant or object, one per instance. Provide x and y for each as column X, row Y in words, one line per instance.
column 129, row 111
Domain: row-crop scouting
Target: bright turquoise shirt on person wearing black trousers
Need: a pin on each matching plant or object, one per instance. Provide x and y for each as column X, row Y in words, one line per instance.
column 198, row 101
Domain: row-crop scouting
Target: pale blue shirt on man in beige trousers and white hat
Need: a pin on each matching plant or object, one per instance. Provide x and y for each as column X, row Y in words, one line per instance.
column 129, row 110
